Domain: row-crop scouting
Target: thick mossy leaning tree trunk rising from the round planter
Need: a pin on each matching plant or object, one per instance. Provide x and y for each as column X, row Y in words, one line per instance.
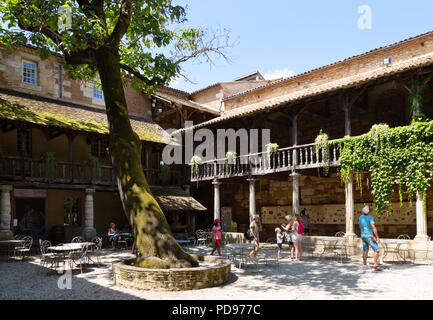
column 154, row 240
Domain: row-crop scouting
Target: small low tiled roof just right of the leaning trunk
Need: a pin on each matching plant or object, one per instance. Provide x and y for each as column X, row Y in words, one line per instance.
column 175, row 199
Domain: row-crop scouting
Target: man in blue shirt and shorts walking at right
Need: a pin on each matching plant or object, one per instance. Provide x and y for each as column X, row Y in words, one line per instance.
column 366, row 223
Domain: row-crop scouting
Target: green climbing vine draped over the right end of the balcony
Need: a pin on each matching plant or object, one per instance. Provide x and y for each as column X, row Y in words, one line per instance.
column 401, row 156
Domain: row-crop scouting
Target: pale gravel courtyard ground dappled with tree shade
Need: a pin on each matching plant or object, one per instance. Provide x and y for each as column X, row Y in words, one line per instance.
column 314, row 278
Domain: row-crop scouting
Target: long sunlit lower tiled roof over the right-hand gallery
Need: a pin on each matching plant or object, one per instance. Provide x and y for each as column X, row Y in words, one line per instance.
column 342, row 83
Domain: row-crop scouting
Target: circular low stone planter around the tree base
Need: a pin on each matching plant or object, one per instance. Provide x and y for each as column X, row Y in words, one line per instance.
column 215, row 272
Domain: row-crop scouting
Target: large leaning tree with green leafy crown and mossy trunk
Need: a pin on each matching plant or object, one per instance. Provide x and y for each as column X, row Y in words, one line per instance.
column 139, row 40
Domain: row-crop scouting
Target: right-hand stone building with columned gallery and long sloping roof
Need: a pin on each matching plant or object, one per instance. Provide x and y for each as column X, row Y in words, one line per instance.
column 344, row 98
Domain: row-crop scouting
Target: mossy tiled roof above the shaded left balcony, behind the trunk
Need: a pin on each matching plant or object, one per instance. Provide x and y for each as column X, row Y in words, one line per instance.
column 54, row 113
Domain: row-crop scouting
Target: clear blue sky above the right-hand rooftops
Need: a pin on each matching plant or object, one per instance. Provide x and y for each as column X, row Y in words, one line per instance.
column 281, row 37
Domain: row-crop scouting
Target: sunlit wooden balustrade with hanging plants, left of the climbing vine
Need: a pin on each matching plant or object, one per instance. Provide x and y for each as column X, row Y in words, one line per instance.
column 263, row 163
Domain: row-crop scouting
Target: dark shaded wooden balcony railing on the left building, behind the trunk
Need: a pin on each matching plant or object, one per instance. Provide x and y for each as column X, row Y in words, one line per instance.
column 34, row 170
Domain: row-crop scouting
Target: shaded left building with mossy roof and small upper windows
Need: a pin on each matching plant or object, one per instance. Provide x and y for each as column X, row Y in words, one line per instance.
column 55, row 170
